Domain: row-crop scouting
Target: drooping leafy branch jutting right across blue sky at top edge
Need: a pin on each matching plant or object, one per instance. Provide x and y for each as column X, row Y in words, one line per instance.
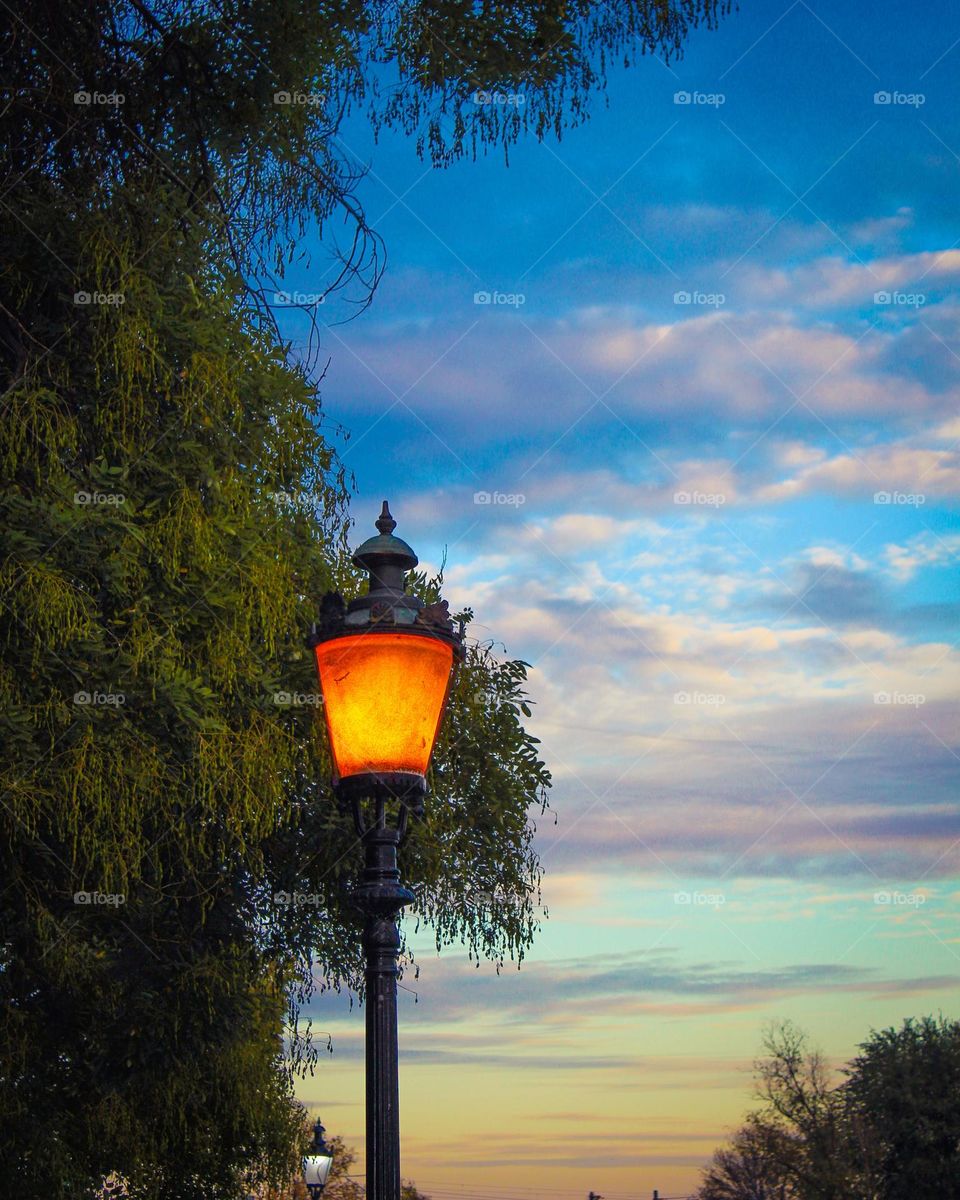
column 542, row 64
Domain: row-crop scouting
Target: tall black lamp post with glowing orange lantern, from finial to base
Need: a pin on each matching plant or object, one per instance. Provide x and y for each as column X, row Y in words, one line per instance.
column 386, row 664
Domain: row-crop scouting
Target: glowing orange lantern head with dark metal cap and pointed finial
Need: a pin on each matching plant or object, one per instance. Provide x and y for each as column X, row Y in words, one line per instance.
column 386, row 664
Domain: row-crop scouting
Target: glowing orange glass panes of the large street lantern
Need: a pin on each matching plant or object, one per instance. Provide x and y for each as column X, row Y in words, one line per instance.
column 383, row 694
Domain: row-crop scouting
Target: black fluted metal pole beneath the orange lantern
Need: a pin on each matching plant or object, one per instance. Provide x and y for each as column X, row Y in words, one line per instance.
column 382, row 897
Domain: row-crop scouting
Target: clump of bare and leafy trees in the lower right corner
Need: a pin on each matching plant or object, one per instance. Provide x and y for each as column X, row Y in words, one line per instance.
column 890, row 1131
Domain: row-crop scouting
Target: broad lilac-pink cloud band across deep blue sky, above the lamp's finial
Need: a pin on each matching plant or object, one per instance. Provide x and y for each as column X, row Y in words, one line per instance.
column 470, row 377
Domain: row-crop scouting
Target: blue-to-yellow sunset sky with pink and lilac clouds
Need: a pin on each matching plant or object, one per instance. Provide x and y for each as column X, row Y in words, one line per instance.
column 677, row 398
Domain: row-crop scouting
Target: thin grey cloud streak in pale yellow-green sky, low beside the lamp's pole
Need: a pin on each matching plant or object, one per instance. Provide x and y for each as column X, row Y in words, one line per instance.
column 527, row 1016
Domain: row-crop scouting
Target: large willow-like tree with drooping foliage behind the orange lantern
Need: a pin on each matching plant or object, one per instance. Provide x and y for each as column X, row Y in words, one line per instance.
column 172, row 509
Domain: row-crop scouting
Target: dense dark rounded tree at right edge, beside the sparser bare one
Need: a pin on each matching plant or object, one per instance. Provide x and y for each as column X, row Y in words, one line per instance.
column 904, row 1088
